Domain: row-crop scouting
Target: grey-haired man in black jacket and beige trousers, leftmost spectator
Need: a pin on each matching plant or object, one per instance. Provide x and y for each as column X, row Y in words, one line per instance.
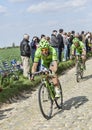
column 25, row 55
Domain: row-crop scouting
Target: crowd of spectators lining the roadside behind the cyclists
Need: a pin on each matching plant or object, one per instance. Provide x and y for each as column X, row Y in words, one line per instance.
column 60, row 40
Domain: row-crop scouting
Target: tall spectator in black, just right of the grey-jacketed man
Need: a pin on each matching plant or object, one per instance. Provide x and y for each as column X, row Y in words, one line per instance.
column 60, row 44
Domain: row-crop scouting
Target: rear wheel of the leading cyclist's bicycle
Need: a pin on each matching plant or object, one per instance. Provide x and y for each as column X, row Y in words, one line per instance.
column 59, row 101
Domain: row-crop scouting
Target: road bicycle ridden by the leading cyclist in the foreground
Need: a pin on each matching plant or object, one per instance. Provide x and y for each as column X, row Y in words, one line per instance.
column 46, row 94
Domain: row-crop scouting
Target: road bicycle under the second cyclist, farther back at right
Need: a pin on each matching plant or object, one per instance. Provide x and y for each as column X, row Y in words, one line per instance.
column 79, row 68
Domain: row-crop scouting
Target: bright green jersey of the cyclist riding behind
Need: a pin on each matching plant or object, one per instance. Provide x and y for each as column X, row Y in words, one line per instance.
column 78, row 49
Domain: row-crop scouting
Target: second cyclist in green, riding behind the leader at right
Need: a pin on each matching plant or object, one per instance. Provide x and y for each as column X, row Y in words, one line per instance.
column 78, row 48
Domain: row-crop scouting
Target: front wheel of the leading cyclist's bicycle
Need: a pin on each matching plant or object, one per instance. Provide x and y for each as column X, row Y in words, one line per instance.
column 45, row 101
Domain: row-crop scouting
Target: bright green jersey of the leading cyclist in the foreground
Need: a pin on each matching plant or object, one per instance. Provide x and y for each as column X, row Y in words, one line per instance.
column 46, row 60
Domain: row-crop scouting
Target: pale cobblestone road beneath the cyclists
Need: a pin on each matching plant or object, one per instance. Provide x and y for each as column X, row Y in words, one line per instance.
column 77, row 113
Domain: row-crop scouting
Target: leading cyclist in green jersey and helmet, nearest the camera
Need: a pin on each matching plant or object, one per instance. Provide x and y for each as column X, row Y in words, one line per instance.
column 48, row 57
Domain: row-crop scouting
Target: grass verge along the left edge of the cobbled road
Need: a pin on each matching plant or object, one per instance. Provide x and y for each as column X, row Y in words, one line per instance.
column 18, row 86
